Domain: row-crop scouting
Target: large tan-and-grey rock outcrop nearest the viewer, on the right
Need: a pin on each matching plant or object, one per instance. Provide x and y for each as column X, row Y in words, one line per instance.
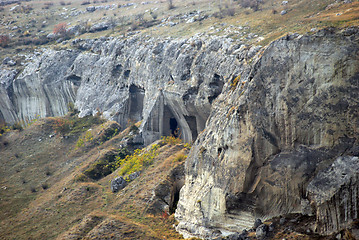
column 269, row 135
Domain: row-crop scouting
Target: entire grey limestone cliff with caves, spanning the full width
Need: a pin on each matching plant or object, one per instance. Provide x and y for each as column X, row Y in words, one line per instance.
column 268, row 121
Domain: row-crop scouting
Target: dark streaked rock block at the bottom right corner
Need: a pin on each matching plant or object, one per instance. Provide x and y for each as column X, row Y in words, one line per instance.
column 334, row 195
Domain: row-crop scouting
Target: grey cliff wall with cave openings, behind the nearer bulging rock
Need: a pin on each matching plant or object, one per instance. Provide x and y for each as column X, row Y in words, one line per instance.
column 170, row 85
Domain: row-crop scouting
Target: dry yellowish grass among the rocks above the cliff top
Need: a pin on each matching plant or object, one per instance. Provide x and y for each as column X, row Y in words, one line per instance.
column 302, row 16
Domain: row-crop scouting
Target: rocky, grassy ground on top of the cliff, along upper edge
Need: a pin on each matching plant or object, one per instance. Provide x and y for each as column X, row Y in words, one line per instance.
column 30, row 25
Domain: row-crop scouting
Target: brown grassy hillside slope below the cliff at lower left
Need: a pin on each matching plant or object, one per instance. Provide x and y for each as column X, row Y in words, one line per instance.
column 45, row 194
